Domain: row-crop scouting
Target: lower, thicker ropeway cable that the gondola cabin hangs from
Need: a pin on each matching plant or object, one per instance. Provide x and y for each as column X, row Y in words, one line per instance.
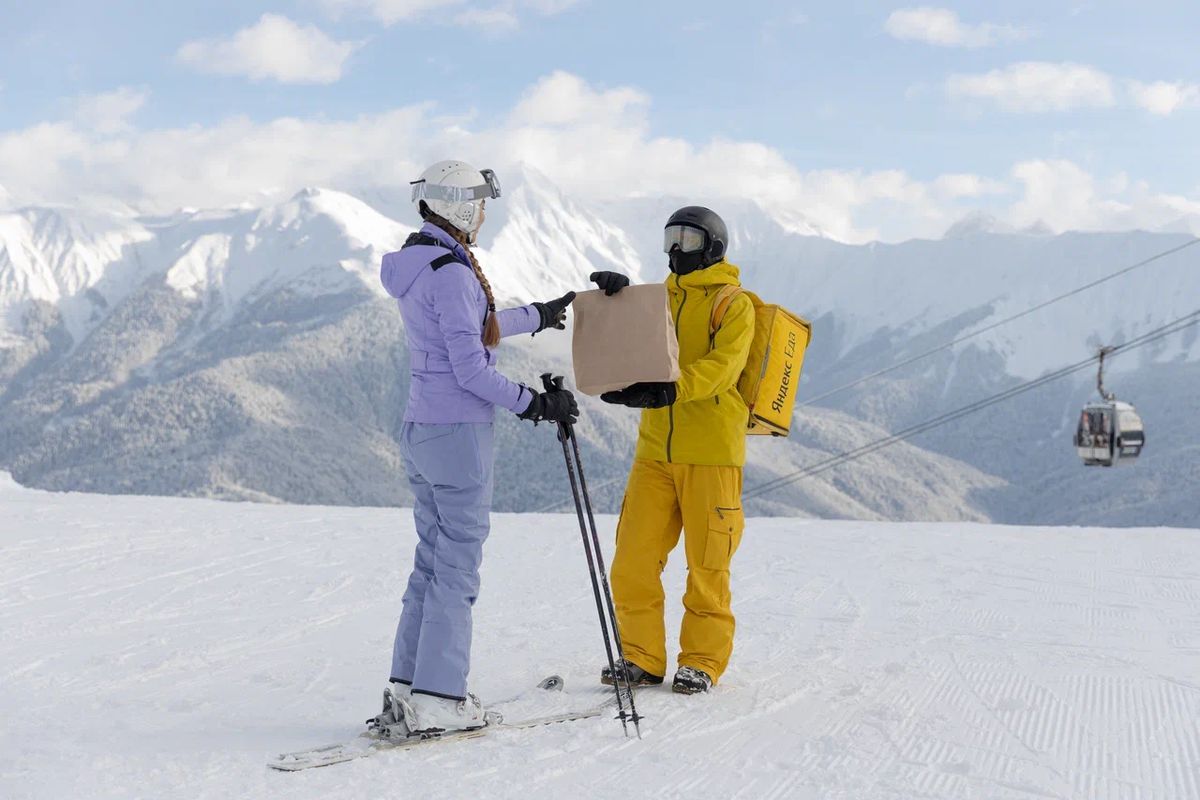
column 950, row 417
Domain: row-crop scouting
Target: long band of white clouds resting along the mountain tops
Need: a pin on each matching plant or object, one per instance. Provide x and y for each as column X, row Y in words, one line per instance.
column 595, row 143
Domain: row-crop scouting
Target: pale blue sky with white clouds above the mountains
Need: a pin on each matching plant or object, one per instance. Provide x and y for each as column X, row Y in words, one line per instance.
column 837, row 94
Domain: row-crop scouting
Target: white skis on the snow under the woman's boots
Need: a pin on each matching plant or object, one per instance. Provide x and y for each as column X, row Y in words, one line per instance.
column 369, row 743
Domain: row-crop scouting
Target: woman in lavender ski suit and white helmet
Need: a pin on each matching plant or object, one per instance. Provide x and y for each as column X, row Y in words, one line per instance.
column 452, row 326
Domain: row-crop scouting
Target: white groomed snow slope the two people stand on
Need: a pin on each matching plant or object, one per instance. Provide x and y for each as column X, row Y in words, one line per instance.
column 163, row 648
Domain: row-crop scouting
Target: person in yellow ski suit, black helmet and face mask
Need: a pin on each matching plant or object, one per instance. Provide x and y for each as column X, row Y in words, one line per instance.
column 688, row 467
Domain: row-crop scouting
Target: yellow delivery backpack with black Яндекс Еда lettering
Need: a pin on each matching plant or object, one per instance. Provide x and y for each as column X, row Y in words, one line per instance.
column 772, row 374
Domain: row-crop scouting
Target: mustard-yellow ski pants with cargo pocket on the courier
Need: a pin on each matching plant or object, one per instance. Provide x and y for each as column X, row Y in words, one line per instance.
column 706, row 503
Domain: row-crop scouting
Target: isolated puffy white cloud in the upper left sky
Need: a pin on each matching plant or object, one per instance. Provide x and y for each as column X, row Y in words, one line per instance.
column 274, row 49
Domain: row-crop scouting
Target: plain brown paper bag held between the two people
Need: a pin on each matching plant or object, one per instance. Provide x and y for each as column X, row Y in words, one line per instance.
column 623, row 340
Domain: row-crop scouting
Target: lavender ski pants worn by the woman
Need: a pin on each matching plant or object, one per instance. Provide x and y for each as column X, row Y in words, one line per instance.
column 451, row 471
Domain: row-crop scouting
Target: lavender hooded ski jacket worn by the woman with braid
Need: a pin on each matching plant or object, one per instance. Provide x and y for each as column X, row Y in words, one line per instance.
column 454, row 377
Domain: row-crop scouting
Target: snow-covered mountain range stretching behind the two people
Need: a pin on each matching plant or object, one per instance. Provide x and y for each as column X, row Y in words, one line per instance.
column 241, row 316
